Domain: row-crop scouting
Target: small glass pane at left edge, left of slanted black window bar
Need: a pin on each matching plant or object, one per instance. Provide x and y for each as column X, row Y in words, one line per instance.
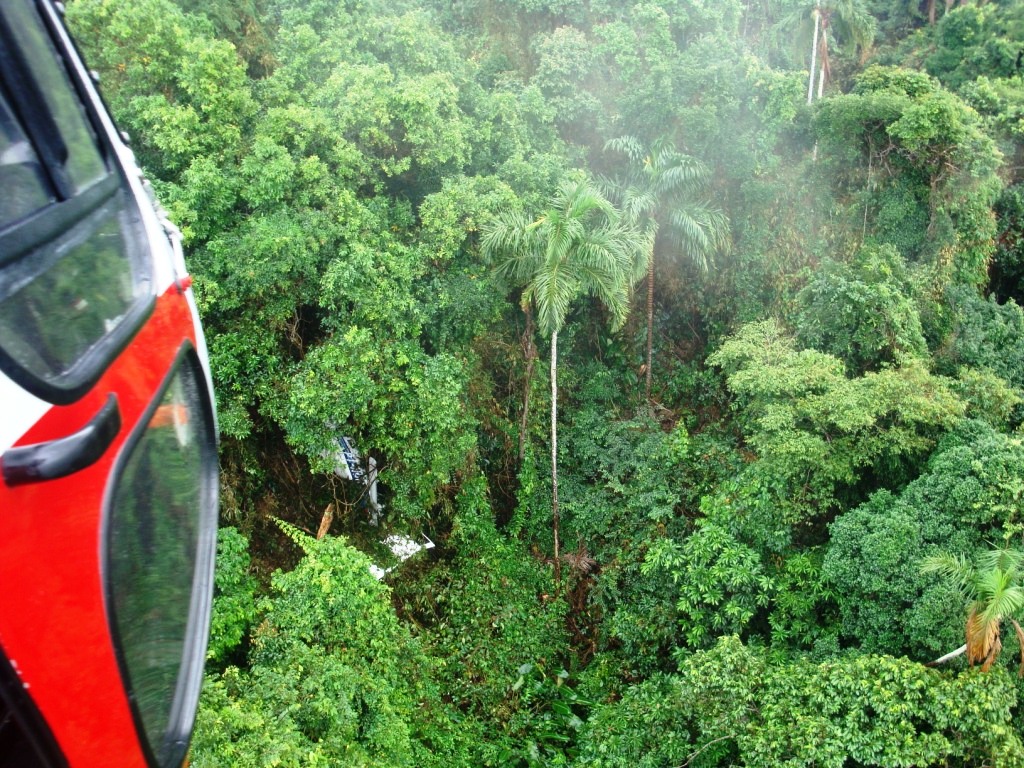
column 22, row 179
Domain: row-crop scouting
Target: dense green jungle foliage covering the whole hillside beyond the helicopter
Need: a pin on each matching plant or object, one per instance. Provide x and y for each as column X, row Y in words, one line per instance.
column 788, row 365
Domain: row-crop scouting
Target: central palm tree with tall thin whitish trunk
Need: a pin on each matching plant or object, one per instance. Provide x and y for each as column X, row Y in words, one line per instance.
column 577, row 247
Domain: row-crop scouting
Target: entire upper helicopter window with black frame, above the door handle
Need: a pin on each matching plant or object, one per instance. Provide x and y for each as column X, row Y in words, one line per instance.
column 75, row 268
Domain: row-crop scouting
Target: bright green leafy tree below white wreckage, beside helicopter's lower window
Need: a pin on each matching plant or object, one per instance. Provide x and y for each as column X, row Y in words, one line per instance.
column 333, row 678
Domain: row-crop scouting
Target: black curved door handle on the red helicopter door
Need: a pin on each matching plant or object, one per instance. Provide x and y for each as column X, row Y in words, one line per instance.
column 48, row 461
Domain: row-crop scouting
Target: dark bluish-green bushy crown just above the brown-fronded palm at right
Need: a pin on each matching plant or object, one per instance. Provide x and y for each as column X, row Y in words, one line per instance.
column 973, row 490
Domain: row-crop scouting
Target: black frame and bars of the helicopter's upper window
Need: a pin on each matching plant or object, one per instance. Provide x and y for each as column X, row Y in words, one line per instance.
column 18, row 239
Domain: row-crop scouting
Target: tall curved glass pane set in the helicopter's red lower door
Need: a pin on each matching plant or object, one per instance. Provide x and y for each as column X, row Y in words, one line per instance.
column 161, row 531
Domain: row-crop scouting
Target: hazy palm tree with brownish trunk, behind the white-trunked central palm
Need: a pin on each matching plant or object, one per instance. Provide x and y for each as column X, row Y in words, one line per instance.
column 663, row 184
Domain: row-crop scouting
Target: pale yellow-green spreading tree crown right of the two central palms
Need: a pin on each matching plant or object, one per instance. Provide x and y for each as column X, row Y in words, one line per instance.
column 819, row 435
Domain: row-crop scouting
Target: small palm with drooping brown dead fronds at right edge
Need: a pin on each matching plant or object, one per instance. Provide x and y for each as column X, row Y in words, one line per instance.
column 995, row 589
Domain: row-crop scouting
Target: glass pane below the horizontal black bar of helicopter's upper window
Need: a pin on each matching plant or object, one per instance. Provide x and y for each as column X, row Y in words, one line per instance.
column 60, row 301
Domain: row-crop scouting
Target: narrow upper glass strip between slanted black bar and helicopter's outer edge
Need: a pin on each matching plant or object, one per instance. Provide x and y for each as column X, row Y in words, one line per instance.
column 84, row 164
